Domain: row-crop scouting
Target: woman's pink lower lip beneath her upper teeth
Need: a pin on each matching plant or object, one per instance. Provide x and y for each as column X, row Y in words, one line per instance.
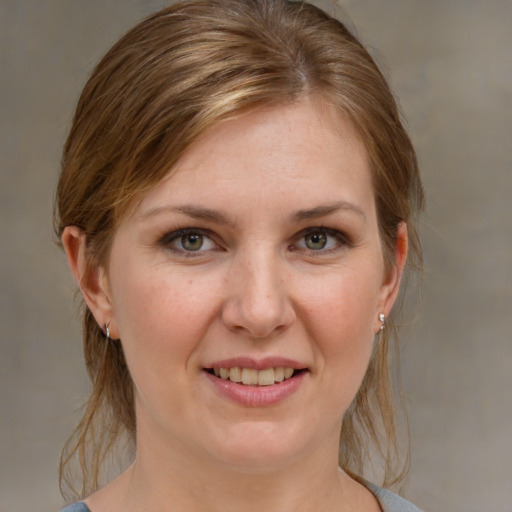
column 257, row 396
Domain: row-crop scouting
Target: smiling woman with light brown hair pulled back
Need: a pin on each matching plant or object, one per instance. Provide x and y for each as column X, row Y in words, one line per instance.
column 236, row 205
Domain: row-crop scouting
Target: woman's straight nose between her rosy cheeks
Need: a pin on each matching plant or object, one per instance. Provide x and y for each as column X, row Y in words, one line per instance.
column 258, row 303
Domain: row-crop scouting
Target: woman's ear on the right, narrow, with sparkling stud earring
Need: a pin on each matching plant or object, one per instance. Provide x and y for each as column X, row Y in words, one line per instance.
column 391, row 285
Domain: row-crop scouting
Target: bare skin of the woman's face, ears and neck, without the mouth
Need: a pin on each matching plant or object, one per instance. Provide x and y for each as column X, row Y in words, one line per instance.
column 257, row 287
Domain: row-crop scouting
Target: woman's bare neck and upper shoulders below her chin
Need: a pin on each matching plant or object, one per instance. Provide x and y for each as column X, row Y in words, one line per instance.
column 170, row 476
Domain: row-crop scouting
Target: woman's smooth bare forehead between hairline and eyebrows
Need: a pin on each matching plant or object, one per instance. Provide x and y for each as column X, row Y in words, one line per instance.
column 302, row 151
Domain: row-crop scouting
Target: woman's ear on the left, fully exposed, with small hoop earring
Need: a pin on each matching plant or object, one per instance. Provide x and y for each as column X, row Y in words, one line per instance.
column 92, row 281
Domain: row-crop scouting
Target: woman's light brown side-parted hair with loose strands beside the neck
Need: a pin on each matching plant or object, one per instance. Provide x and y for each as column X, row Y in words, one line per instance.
column 167, row 82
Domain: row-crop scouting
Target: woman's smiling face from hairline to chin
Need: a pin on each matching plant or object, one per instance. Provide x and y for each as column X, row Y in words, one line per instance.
column 246, row 289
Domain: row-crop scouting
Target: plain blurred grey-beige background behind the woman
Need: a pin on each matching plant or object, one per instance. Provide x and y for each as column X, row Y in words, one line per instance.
column 450, row 64
